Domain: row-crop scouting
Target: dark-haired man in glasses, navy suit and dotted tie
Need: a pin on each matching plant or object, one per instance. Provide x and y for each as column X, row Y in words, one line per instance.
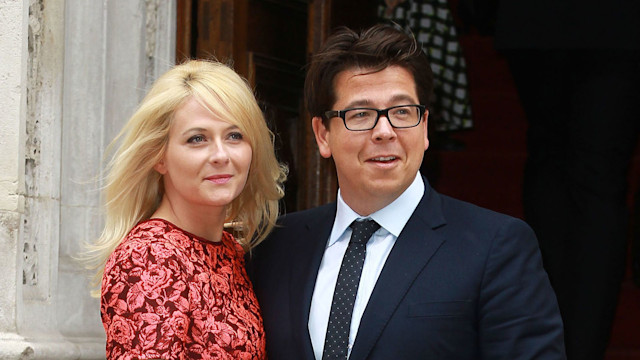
column 441, row 279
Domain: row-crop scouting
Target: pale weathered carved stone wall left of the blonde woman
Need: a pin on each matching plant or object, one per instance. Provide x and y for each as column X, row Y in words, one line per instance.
column 71, row 73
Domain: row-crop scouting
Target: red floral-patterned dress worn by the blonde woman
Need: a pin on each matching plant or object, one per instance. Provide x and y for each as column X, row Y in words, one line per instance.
column 168, row 294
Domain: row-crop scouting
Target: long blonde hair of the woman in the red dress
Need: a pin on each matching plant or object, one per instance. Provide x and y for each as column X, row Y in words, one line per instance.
column 133, row 189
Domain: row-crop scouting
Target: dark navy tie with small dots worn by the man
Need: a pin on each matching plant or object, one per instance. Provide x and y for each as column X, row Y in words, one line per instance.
column 336, row 342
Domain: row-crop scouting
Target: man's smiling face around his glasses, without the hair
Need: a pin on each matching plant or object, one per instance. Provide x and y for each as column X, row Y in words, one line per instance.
column 374, row 166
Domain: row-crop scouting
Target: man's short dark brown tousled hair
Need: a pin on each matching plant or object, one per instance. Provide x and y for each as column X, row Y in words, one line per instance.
column 373, row 50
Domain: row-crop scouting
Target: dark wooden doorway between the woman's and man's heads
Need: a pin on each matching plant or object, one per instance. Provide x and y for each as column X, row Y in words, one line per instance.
column 269, row 42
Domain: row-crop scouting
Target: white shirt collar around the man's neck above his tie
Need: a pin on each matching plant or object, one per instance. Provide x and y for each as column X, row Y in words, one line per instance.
column 391, row 218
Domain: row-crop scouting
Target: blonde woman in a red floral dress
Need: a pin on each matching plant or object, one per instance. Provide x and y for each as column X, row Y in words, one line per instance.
column 196, row 154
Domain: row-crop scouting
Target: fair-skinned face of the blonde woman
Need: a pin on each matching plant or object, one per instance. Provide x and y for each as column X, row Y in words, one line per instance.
column 207, row 159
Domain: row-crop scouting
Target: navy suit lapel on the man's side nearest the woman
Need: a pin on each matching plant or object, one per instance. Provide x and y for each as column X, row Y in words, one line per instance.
column 305, row 264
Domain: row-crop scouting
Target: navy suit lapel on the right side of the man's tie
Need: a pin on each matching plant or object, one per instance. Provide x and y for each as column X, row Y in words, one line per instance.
column 412, row 251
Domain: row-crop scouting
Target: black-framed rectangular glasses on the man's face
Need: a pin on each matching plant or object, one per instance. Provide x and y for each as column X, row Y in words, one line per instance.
column 361, row 119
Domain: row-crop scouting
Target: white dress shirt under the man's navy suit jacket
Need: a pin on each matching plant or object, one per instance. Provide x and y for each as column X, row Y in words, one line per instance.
column 392, row 219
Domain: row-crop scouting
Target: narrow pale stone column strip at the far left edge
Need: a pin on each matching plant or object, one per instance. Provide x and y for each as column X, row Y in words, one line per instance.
column 13, row 63
